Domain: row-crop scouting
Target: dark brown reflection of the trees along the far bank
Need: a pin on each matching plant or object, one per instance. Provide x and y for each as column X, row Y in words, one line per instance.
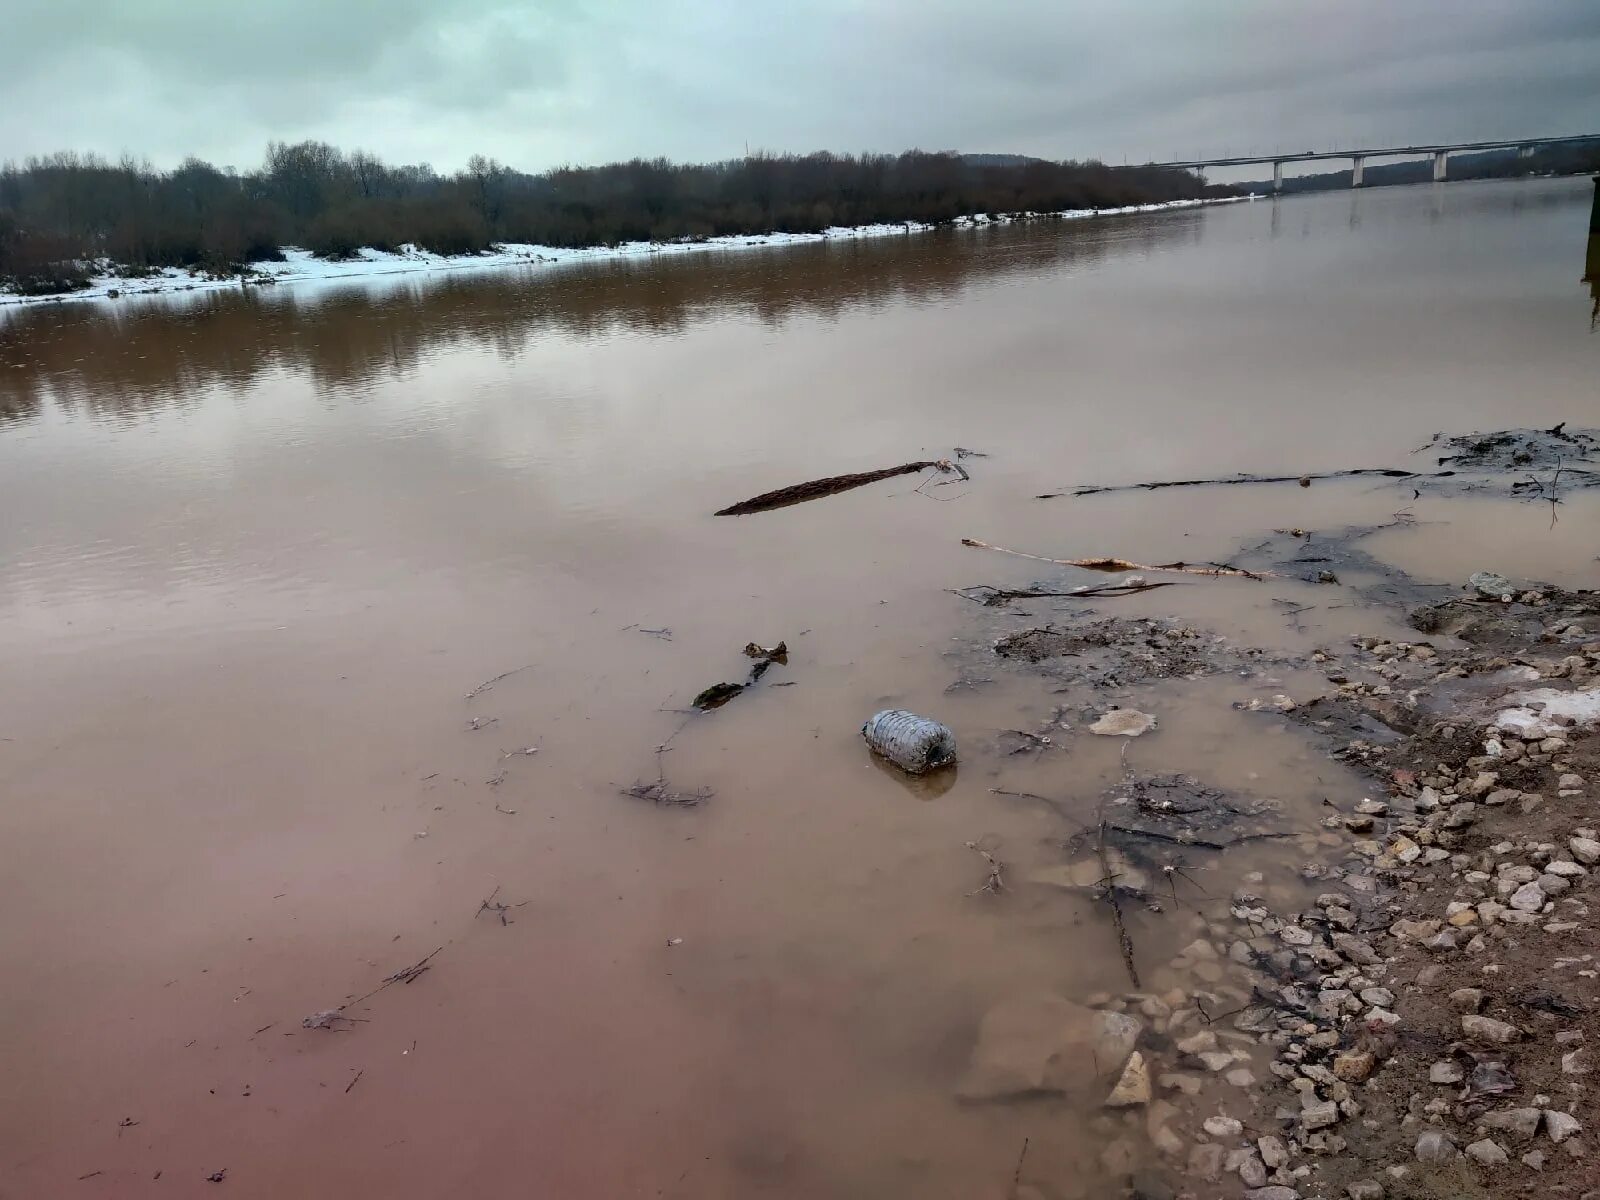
column 134, row 356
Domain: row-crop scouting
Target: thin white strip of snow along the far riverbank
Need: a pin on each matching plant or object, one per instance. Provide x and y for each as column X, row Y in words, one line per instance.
column 303, row 266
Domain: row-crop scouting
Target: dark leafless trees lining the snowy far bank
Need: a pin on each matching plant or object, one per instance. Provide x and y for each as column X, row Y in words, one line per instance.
column 62, row 214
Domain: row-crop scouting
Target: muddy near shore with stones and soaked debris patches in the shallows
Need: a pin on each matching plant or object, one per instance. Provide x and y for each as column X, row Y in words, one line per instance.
column 1420, row 1017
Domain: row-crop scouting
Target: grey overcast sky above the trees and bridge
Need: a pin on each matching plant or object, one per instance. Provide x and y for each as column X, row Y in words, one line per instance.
column 546, row 82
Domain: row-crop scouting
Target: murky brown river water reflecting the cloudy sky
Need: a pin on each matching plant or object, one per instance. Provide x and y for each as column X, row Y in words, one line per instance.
column 260, row 546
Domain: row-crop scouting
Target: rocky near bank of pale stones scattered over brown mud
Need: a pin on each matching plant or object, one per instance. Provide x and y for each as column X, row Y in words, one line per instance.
column 1426, row 1025
